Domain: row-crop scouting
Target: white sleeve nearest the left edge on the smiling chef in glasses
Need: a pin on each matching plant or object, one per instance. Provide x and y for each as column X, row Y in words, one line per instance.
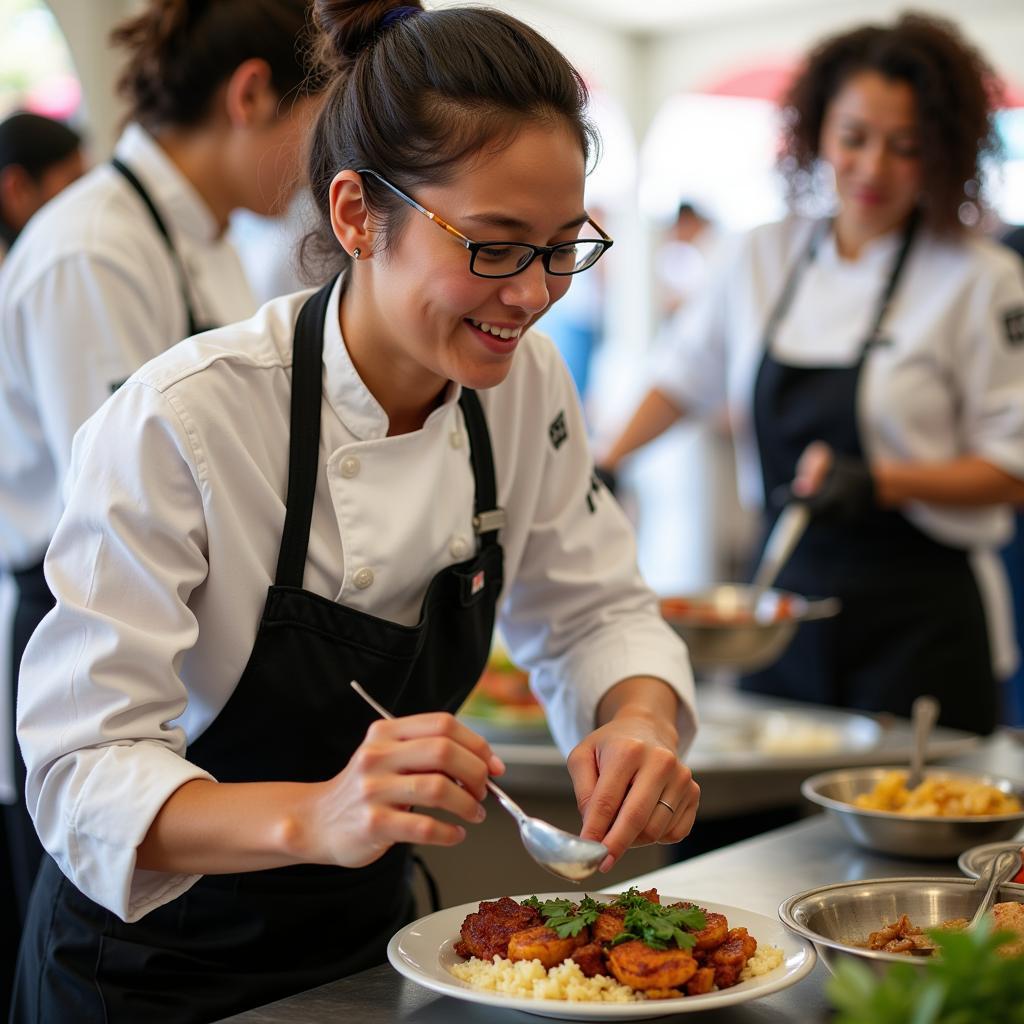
column 99, row 688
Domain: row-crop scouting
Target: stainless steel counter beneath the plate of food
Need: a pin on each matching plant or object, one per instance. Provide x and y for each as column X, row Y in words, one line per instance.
column 757, row 875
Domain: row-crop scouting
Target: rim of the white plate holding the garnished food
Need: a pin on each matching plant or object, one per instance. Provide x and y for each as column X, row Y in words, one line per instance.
column 607, row 1011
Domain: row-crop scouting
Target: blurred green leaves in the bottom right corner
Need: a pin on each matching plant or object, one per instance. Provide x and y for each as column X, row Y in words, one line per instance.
column 967, row 982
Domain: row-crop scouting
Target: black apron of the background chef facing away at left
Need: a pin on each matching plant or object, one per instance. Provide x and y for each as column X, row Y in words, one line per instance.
column 35, row 601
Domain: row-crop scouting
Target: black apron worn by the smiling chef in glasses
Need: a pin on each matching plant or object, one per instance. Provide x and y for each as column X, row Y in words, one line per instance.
column 237, row 942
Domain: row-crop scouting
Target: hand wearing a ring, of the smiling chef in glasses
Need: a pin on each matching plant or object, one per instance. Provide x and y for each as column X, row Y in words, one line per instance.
column 628, row 771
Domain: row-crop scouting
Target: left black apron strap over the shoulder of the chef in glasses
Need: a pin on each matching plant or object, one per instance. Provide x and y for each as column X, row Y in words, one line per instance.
column 304, row 456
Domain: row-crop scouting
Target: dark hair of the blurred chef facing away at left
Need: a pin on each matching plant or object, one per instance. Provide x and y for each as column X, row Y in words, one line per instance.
column 181, row 52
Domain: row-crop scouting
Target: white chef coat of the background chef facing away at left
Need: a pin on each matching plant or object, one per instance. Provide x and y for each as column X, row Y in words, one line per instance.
column 89, row 294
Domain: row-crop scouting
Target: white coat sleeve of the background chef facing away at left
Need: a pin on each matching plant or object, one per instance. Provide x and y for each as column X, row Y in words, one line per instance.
column 81, row 321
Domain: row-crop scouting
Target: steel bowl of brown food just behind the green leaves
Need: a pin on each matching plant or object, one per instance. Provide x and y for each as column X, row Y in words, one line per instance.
column 886, row 921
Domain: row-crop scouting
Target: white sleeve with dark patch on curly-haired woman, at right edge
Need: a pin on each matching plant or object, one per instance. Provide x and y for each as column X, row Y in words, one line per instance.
column 990, row 364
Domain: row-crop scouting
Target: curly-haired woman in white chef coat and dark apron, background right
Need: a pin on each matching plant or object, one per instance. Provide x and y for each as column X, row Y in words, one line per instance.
column 873, row 363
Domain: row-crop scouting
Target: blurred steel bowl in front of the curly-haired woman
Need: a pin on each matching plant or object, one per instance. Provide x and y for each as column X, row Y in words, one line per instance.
column 748, row 645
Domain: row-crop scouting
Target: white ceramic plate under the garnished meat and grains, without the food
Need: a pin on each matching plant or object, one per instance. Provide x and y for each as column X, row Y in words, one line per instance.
column 424, row 951
